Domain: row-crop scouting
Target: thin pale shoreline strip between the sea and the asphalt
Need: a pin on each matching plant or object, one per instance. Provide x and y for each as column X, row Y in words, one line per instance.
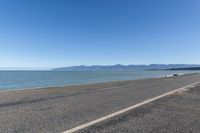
column 97, row 83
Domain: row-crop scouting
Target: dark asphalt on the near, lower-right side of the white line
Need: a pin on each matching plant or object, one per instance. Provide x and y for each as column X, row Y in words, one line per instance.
column 177, row 113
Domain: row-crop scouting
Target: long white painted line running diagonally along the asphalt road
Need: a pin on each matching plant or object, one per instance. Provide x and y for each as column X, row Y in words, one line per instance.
column 80, row 127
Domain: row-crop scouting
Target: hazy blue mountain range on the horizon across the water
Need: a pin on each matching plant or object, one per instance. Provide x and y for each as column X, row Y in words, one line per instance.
column 120, row 67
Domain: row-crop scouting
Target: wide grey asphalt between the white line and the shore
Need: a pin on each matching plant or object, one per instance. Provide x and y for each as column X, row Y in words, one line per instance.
column 58, row 109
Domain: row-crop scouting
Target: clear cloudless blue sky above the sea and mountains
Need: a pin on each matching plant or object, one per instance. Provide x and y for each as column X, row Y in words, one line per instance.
column 57, row 33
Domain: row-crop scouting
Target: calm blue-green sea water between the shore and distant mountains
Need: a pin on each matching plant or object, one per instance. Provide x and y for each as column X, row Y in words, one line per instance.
column 12, row 80
